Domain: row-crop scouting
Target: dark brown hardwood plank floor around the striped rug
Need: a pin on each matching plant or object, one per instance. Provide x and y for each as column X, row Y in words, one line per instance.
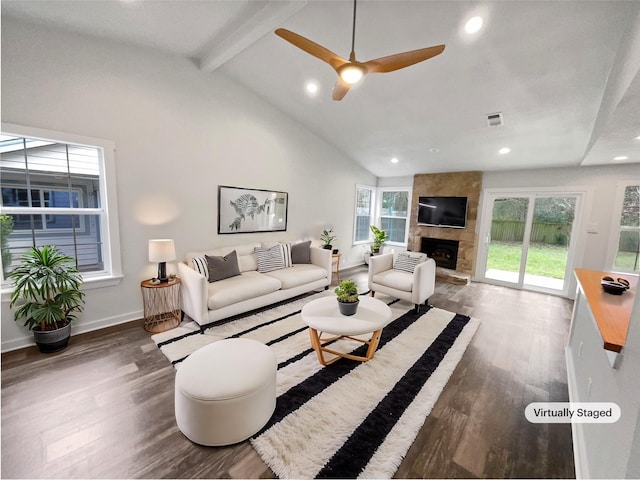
column 103, row 408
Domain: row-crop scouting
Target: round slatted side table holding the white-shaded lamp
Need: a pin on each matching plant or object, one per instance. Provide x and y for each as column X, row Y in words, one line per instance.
column 161, row 305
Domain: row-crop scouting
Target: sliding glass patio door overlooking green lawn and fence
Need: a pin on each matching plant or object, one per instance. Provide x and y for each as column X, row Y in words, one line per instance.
column 527, row 240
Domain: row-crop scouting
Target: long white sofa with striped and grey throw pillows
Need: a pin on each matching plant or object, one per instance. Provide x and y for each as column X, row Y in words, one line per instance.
column 207, row 301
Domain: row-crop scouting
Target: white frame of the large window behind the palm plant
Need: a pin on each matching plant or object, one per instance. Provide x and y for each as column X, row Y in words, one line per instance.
column 112, row 272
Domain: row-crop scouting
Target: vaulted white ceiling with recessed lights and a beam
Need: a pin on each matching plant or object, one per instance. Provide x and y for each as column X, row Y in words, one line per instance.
column 564, row 74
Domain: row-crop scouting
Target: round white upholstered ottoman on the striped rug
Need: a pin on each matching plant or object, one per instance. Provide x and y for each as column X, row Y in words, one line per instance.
column 226, row 391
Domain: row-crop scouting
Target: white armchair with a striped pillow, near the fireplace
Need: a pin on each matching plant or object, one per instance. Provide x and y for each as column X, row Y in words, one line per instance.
column 414, row 287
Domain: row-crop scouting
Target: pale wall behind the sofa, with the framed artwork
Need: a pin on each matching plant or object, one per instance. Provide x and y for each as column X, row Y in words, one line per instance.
column 179, row 133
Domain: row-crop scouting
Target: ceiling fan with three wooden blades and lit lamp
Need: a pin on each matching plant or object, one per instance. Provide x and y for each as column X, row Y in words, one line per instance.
column 351, row 71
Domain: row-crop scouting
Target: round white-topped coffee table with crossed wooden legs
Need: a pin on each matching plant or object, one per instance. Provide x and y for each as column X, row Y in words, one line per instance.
column 323, row 316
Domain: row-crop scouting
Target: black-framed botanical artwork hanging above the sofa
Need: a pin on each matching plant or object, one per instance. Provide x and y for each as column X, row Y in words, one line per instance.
column 247, row 210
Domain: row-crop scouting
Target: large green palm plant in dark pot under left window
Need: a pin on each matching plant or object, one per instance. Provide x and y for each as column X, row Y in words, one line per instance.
column 47, row 292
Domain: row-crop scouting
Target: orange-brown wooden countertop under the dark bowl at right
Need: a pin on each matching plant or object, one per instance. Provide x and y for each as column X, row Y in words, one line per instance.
column 611, row 312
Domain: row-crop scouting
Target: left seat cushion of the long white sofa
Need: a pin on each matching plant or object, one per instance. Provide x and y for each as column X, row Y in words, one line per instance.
column 239, row 288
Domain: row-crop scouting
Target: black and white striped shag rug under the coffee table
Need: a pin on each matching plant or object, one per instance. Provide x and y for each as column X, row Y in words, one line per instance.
column 348, row 419
